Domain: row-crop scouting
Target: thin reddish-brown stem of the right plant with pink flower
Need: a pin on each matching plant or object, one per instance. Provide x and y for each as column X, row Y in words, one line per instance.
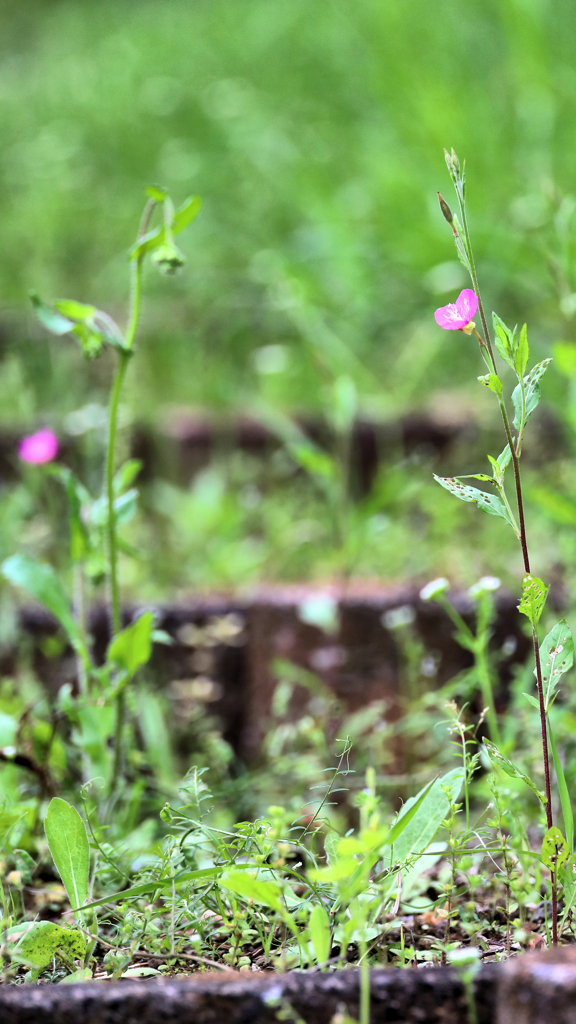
column 515, row 452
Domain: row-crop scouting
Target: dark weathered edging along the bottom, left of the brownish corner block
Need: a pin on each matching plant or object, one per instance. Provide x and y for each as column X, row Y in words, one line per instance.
column 429, row 997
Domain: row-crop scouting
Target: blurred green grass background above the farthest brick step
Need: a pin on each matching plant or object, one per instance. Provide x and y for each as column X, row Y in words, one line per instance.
column 314, row 133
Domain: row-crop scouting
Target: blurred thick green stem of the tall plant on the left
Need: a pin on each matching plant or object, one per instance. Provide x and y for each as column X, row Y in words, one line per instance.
column 125, row 358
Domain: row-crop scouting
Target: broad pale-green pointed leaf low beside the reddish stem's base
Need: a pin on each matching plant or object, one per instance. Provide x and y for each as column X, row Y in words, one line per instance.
column 432, row 806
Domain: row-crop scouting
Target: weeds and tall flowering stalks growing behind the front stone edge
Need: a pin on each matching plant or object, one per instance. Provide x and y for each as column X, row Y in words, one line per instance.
column 159, row 875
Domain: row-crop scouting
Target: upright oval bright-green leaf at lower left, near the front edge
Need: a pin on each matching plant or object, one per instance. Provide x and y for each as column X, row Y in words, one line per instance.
column 69, row 846
